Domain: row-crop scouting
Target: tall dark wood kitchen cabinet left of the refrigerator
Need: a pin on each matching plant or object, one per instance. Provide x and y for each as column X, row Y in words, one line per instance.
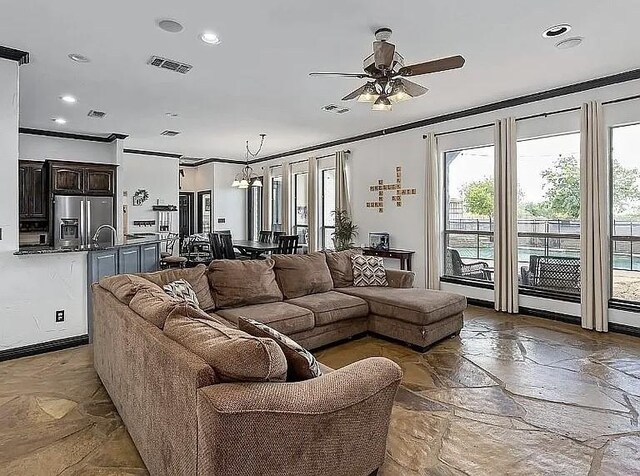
column 33, row 191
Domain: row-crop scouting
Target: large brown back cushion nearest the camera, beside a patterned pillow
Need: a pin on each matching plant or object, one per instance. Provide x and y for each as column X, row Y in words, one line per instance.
column 235, row 356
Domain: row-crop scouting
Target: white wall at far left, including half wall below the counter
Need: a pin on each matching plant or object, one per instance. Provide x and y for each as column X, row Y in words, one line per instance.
column 32, row 288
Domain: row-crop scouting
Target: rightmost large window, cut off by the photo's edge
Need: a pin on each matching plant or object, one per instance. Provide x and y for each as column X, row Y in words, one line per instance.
column 625, row 212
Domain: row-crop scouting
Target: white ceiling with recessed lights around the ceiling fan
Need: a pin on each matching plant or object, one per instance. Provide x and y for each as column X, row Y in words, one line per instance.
column 256, row 79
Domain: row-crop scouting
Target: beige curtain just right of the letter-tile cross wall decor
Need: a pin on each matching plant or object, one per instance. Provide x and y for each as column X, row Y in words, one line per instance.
column 432, row 209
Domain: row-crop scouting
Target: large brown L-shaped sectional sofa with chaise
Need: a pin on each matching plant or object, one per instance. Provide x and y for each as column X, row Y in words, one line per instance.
column 185, row 420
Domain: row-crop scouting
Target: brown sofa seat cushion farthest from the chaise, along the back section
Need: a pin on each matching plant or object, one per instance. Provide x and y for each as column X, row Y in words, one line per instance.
column 283, row 317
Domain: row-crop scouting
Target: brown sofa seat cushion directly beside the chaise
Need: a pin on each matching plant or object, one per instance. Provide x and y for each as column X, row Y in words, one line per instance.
column 332, row 306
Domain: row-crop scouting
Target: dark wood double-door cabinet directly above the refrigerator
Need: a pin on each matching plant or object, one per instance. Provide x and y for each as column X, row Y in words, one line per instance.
column 82, row 179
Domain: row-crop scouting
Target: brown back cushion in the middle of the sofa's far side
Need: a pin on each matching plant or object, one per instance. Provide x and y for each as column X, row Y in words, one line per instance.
column 300, row 275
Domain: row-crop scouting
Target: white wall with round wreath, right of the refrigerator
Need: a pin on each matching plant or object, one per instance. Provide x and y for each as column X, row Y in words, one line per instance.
column 158, row 176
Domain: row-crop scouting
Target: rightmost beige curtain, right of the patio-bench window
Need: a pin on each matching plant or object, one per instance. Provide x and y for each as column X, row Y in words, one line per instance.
column 594, row 253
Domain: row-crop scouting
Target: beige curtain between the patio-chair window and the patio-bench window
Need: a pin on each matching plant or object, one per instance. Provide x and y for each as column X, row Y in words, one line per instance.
column 506, row 217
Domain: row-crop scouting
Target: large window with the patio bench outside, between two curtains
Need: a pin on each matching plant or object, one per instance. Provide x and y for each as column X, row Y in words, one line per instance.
column 549, row 215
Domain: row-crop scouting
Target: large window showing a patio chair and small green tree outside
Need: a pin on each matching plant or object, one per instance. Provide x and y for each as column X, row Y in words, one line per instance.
column 468, row 235
